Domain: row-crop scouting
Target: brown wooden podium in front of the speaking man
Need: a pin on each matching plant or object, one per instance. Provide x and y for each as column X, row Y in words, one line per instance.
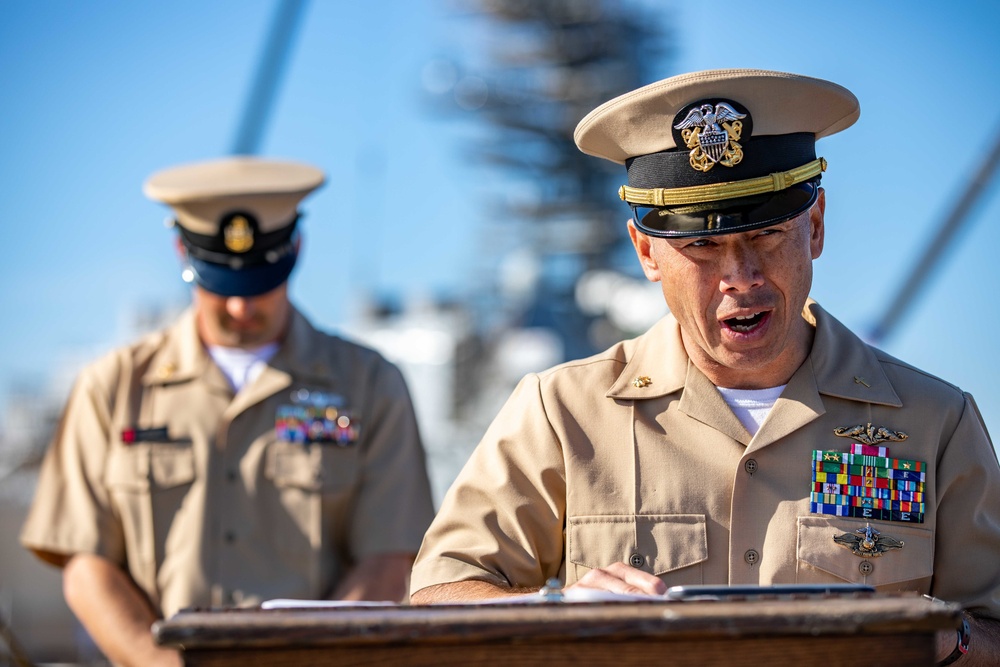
column 829, row 631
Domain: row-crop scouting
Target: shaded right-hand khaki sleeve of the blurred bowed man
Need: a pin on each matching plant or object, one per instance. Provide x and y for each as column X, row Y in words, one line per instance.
column 394, row 505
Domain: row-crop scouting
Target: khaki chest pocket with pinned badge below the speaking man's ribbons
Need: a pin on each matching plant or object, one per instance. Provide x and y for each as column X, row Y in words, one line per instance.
column 821, row 560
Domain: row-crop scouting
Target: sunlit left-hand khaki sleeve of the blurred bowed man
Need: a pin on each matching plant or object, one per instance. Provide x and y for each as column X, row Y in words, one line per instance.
column 72, row 512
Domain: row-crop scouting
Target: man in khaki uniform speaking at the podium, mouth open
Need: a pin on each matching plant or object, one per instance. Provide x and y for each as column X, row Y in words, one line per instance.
column 748, row 437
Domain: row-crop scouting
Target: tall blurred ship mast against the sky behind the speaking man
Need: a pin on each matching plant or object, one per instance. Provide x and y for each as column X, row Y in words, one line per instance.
column 550, row 63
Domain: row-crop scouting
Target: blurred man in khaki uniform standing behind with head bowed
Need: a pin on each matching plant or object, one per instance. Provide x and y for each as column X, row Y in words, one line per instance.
column 239, row 455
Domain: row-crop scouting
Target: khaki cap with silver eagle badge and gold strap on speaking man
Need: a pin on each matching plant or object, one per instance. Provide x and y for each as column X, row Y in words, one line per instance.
column 719, row 151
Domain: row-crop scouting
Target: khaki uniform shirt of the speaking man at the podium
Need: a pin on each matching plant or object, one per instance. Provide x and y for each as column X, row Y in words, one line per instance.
column 583, row 468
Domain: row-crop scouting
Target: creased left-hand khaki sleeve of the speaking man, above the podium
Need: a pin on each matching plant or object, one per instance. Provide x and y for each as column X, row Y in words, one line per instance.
column 503, row 519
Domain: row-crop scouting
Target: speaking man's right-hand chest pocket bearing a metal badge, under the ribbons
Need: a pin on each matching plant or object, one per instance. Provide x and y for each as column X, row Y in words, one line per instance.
column 816, row 547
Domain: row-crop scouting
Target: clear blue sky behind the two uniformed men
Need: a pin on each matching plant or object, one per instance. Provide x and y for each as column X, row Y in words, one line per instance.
column 97, row 95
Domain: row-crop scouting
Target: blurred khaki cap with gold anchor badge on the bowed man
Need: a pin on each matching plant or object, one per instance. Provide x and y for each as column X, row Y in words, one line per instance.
column 237, row 218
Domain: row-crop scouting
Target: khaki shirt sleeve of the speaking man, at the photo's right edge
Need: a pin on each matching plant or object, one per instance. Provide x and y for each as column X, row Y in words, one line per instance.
column 966, row 566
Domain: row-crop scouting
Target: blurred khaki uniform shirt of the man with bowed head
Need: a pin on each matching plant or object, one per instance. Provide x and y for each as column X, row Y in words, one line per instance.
column 221, row 512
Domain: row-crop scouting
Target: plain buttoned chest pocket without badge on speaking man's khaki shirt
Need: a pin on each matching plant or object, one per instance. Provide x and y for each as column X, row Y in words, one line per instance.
column 670, row 546
